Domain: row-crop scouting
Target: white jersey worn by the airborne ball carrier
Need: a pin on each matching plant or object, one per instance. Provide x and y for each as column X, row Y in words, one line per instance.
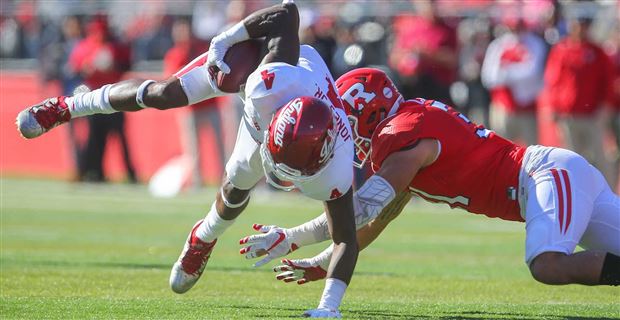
column 272, row 85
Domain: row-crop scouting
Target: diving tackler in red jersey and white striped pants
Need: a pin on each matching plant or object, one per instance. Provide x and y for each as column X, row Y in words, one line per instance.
column 426, row 148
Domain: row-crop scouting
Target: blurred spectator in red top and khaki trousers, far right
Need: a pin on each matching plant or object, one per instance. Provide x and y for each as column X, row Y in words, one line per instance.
column 578, row 85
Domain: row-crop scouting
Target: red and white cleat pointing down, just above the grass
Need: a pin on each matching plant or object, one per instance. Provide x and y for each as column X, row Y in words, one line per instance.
column 192, row 261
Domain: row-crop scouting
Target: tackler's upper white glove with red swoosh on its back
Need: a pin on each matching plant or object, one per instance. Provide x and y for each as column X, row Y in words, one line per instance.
column 273, row 242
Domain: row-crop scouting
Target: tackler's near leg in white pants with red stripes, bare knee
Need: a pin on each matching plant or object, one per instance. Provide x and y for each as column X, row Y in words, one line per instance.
column 559, row 209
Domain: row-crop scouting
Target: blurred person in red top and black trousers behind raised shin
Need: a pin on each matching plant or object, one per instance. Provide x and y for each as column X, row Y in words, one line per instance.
column 100, row 60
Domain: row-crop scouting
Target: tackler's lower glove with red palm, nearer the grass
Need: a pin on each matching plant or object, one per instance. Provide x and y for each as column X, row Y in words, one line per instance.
column 304, row 270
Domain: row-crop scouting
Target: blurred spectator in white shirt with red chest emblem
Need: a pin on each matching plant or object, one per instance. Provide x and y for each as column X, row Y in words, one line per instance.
column 513, row 71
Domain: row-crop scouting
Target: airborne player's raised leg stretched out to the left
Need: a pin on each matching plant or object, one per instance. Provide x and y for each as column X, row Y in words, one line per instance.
column 190, row 85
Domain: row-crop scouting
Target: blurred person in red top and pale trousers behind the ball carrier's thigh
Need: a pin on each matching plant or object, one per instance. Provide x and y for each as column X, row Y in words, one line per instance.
column 198, row 115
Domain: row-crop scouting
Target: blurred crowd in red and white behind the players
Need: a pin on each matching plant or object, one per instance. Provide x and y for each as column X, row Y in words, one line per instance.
column 535, row 71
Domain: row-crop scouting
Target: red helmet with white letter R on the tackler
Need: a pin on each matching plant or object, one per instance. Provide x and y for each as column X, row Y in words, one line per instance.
column 368, row 95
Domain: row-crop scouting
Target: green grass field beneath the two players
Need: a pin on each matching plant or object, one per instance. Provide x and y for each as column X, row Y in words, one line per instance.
column 72, row 251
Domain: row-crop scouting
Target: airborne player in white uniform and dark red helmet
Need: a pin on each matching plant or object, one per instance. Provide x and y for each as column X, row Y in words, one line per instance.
column 307, row 144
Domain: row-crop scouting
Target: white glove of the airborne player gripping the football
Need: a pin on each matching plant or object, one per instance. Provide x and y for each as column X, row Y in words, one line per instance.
column 222, row 42
